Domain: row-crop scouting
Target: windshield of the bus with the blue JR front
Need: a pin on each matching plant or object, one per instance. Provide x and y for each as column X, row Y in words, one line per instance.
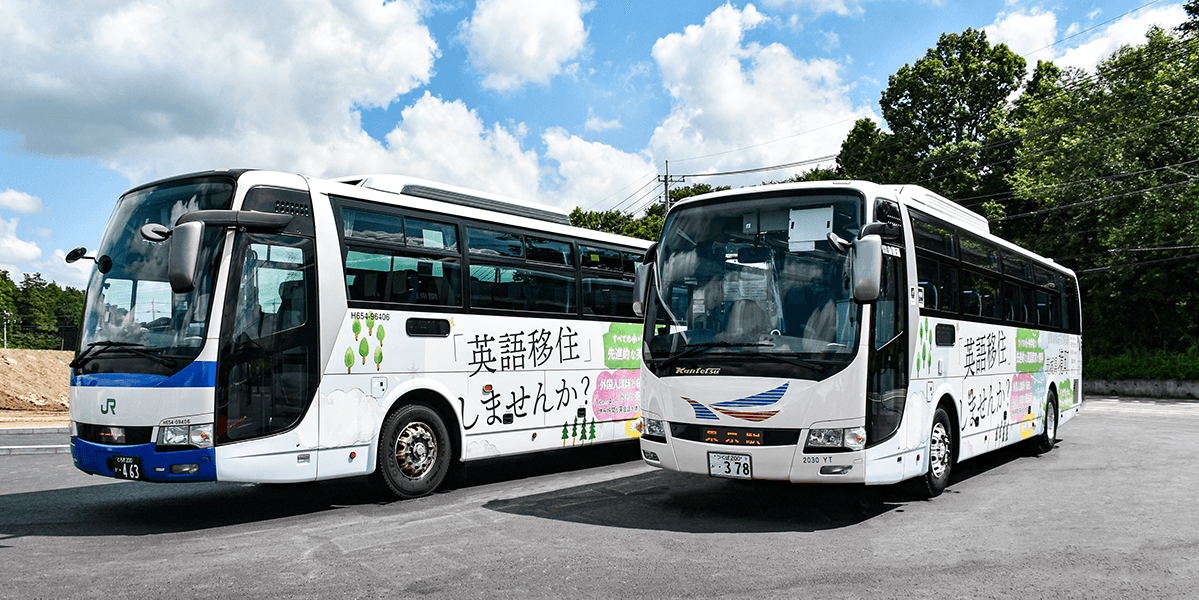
column 134, row 323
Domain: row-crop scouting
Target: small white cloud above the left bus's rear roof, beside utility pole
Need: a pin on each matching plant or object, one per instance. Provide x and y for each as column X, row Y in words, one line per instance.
column 591, row 171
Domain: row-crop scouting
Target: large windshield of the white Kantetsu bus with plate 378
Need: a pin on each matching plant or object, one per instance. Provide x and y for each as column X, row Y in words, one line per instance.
column 756, row 279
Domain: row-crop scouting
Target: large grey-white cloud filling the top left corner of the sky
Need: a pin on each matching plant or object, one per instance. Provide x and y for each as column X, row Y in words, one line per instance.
column 156, row 89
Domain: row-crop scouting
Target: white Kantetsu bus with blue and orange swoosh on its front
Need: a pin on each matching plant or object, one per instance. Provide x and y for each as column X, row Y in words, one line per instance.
column 846, row 332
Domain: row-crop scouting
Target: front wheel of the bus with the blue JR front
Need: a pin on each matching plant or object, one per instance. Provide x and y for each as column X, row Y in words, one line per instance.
column 414, row 452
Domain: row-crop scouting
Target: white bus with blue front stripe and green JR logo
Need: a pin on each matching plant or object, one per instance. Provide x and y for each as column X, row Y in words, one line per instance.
column 250, row 326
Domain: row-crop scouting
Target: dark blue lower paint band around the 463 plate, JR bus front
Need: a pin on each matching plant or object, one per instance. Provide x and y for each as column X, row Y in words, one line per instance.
column 92, row 458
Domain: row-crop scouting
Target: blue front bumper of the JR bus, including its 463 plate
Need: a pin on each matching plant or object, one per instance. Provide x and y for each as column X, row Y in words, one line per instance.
column 143, row 463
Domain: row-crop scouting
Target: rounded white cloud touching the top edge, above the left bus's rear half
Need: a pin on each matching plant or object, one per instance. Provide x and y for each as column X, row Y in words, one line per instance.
column 515, row 43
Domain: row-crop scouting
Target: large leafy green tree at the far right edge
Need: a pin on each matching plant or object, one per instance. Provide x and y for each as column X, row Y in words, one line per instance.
column 1106, row 184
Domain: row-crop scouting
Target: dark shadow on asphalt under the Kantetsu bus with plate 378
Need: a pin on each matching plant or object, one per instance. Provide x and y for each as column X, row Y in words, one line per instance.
column 689, row 503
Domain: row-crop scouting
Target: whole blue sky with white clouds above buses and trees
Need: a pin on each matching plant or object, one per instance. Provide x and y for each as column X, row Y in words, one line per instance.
column 564, row 103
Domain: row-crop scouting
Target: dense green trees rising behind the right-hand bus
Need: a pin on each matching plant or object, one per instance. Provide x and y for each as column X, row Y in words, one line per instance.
column 1099, row 171
